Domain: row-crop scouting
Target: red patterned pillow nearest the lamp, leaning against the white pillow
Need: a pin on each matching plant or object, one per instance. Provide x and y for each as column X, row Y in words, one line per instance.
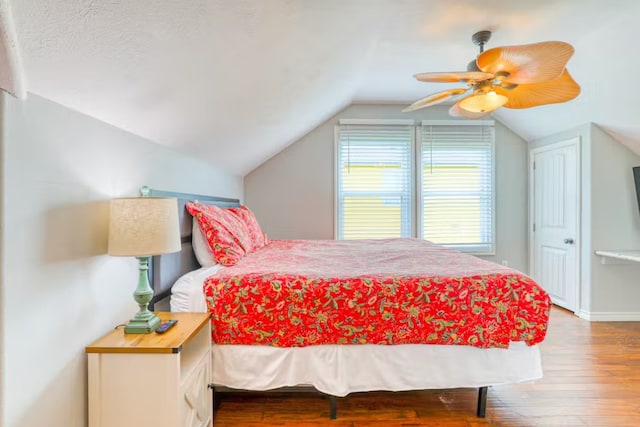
column 227, row 235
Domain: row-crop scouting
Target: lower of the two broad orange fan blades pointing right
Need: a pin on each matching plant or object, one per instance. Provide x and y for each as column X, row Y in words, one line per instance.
column 562, row 89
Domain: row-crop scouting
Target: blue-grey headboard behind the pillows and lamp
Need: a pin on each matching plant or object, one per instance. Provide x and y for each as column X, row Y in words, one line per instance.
column 166, row 269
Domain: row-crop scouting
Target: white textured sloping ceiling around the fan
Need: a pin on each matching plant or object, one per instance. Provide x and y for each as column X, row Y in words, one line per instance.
column 234, row 82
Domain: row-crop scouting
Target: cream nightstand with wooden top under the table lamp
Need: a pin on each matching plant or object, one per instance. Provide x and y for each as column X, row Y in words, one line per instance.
column 158, row 380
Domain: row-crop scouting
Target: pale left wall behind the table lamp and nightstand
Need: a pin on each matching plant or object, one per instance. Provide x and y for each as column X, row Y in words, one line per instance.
column 60, row 291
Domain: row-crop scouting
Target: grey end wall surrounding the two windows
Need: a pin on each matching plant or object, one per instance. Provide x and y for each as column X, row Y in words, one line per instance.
column 292, row 194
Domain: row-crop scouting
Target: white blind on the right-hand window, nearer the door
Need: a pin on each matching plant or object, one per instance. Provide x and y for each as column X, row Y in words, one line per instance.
column 456, row 186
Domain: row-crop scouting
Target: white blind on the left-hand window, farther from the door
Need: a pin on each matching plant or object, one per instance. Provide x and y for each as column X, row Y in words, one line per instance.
column 374, row 181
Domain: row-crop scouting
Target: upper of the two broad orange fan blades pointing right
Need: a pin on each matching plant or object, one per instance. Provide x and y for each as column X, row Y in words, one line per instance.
column 527, row 64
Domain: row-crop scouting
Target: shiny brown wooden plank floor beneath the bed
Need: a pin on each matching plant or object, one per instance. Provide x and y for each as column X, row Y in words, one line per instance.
column 591, row 378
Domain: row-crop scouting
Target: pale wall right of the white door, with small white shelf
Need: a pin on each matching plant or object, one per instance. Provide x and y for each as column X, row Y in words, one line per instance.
column 610, row 221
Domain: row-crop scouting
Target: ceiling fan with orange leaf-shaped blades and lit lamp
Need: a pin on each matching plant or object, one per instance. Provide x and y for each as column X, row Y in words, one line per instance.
column 521, row 76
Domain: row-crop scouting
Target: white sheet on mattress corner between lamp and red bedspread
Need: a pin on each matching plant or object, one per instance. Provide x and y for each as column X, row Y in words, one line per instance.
column 187, row 293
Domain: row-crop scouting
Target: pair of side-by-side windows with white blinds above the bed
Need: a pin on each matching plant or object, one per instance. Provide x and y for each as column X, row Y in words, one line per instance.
column 452, row 182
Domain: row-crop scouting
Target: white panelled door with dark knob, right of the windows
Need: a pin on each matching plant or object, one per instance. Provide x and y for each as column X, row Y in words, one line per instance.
column 556, row 222
